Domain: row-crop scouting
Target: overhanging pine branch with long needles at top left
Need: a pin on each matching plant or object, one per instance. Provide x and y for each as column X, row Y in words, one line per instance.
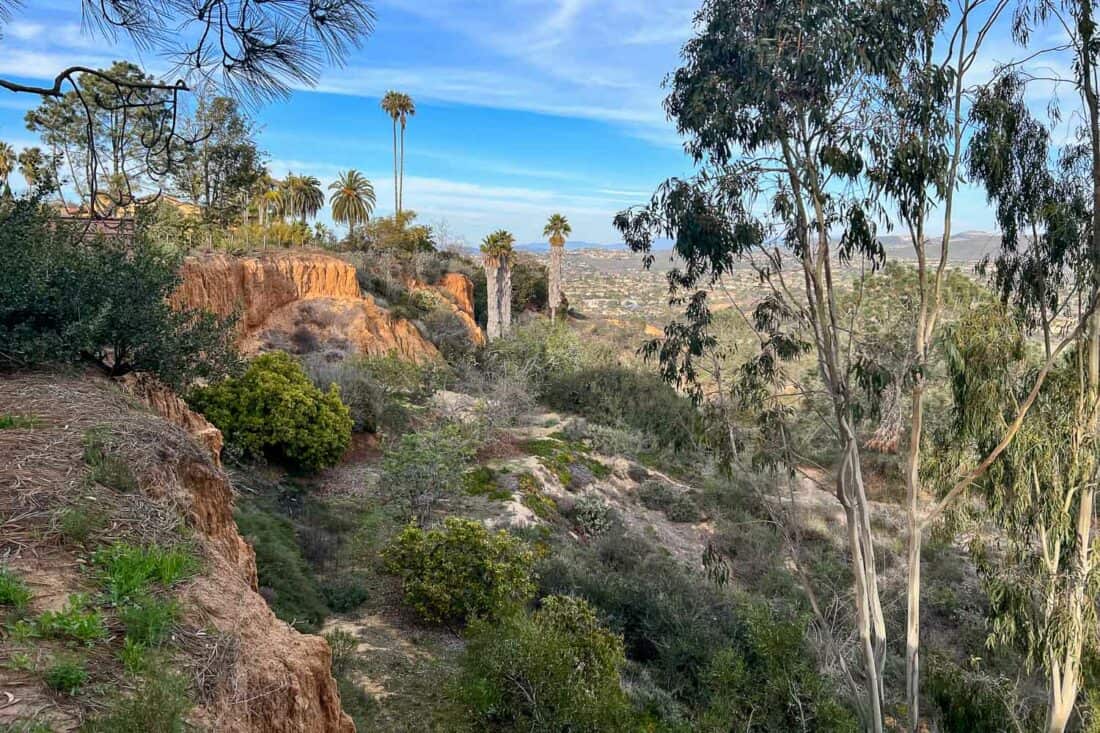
column 248, row 50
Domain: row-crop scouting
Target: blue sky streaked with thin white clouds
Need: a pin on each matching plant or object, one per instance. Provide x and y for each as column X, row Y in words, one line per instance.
column 524, row 107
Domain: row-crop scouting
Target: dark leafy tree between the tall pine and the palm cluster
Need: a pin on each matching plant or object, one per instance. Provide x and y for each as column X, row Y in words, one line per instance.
column 219, row 172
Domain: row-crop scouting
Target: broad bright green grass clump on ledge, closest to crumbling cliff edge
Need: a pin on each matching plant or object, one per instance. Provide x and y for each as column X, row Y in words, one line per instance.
column 129, row 572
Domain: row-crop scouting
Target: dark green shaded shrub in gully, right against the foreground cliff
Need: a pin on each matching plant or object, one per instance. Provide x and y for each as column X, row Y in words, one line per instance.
column 287, row 581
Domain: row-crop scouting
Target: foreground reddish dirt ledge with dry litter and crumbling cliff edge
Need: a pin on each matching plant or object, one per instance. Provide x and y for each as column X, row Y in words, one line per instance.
column 250, row 672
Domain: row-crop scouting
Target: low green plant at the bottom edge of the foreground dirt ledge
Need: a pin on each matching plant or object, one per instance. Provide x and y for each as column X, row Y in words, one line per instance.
column 160, row 704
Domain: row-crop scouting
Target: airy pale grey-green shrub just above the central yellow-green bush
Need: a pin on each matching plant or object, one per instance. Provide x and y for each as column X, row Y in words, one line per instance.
column 422, row 468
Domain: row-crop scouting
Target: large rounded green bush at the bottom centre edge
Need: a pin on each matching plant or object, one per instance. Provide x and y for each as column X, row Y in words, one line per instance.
column 555, row 671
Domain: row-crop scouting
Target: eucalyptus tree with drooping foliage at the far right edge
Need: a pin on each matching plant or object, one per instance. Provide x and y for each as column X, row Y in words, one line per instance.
column 1042, row 489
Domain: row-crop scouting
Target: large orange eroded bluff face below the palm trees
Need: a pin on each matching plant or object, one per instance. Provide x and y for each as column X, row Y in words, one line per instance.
column 298, row 302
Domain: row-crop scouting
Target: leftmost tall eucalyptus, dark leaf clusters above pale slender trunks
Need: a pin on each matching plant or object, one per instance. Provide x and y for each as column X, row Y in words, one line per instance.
column 775, row 100
